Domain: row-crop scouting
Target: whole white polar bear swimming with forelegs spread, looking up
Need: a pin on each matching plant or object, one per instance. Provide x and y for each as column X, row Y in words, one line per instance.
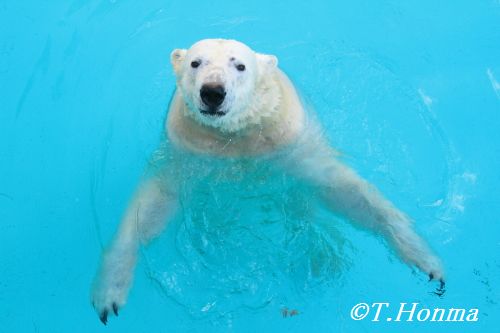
column 233, row 104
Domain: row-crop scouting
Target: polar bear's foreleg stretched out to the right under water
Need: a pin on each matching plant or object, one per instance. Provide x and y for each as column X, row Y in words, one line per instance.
column 349, row 195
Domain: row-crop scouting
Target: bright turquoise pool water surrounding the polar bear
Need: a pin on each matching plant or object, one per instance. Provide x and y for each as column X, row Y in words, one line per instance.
column 408, row 92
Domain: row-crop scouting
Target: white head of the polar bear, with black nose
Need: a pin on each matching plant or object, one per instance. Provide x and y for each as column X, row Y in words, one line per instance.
column 224, row 83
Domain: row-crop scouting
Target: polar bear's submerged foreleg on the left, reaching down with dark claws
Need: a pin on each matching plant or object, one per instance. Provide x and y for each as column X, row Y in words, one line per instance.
column 144, row 219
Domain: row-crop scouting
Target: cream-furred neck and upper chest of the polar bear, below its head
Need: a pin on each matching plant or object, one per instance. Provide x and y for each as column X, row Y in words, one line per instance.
column 278, row 128
